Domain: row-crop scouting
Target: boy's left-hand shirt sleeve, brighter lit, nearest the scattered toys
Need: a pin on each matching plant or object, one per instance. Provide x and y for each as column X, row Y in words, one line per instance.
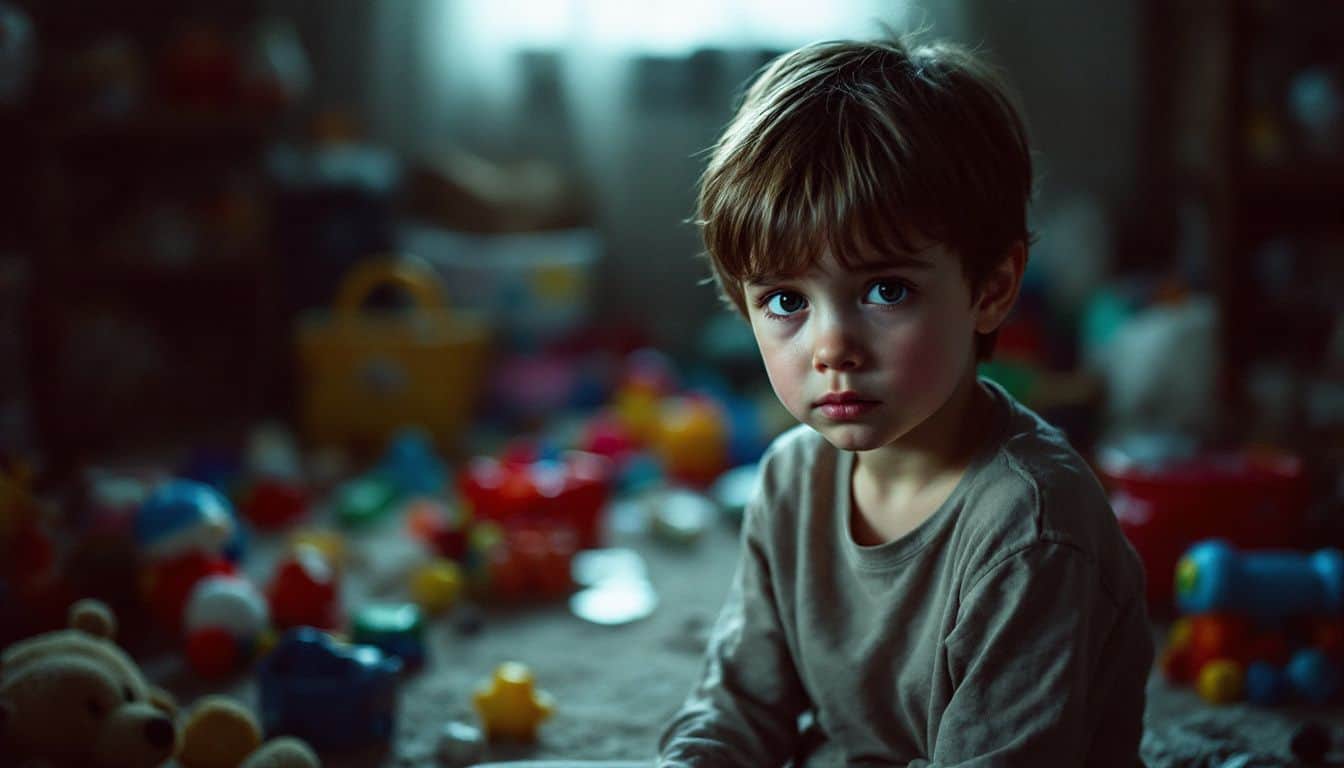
column 745, row 708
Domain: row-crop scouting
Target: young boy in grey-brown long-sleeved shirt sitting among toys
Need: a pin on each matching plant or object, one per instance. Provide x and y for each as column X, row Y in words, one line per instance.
column 931, row 575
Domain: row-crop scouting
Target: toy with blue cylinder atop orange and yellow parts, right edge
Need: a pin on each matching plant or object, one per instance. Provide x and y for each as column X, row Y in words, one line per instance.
column 1265, row 627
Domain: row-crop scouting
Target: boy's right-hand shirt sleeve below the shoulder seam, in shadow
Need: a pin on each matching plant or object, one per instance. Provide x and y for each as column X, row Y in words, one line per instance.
column 1049, row 669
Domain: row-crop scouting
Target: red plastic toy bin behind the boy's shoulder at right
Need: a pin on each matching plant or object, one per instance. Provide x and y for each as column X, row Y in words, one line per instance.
column 1255, row 500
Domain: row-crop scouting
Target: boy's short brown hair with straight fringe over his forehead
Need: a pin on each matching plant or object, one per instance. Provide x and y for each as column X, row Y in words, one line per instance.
column 845, row 147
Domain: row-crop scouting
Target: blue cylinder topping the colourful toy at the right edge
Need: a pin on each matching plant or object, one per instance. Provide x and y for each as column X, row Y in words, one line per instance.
column 1213, row 576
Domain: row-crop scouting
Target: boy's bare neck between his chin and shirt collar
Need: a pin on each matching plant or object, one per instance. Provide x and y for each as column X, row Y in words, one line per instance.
column 943, row 445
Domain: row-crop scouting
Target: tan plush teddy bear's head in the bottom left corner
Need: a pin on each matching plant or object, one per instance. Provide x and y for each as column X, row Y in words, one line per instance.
column 73, row 697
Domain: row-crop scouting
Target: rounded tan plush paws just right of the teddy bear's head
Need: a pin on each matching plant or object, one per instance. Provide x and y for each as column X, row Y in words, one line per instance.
column 222, row 734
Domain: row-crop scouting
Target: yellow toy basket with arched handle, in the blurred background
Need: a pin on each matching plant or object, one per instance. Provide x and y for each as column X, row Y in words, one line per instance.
column 364, row 376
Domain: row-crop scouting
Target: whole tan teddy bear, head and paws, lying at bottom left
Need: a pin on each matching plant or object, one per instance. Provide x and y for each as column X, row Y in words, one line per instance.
column 73, row 699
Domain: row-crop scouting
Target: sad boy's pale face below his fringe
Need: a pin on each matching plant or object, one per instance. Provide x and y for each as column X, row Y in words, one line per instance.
column 865, row 356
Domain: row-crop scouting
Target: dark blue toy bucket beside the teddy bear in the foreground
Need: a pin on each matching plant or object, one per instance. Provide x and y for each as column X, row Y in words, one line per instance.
column 331, row 695
